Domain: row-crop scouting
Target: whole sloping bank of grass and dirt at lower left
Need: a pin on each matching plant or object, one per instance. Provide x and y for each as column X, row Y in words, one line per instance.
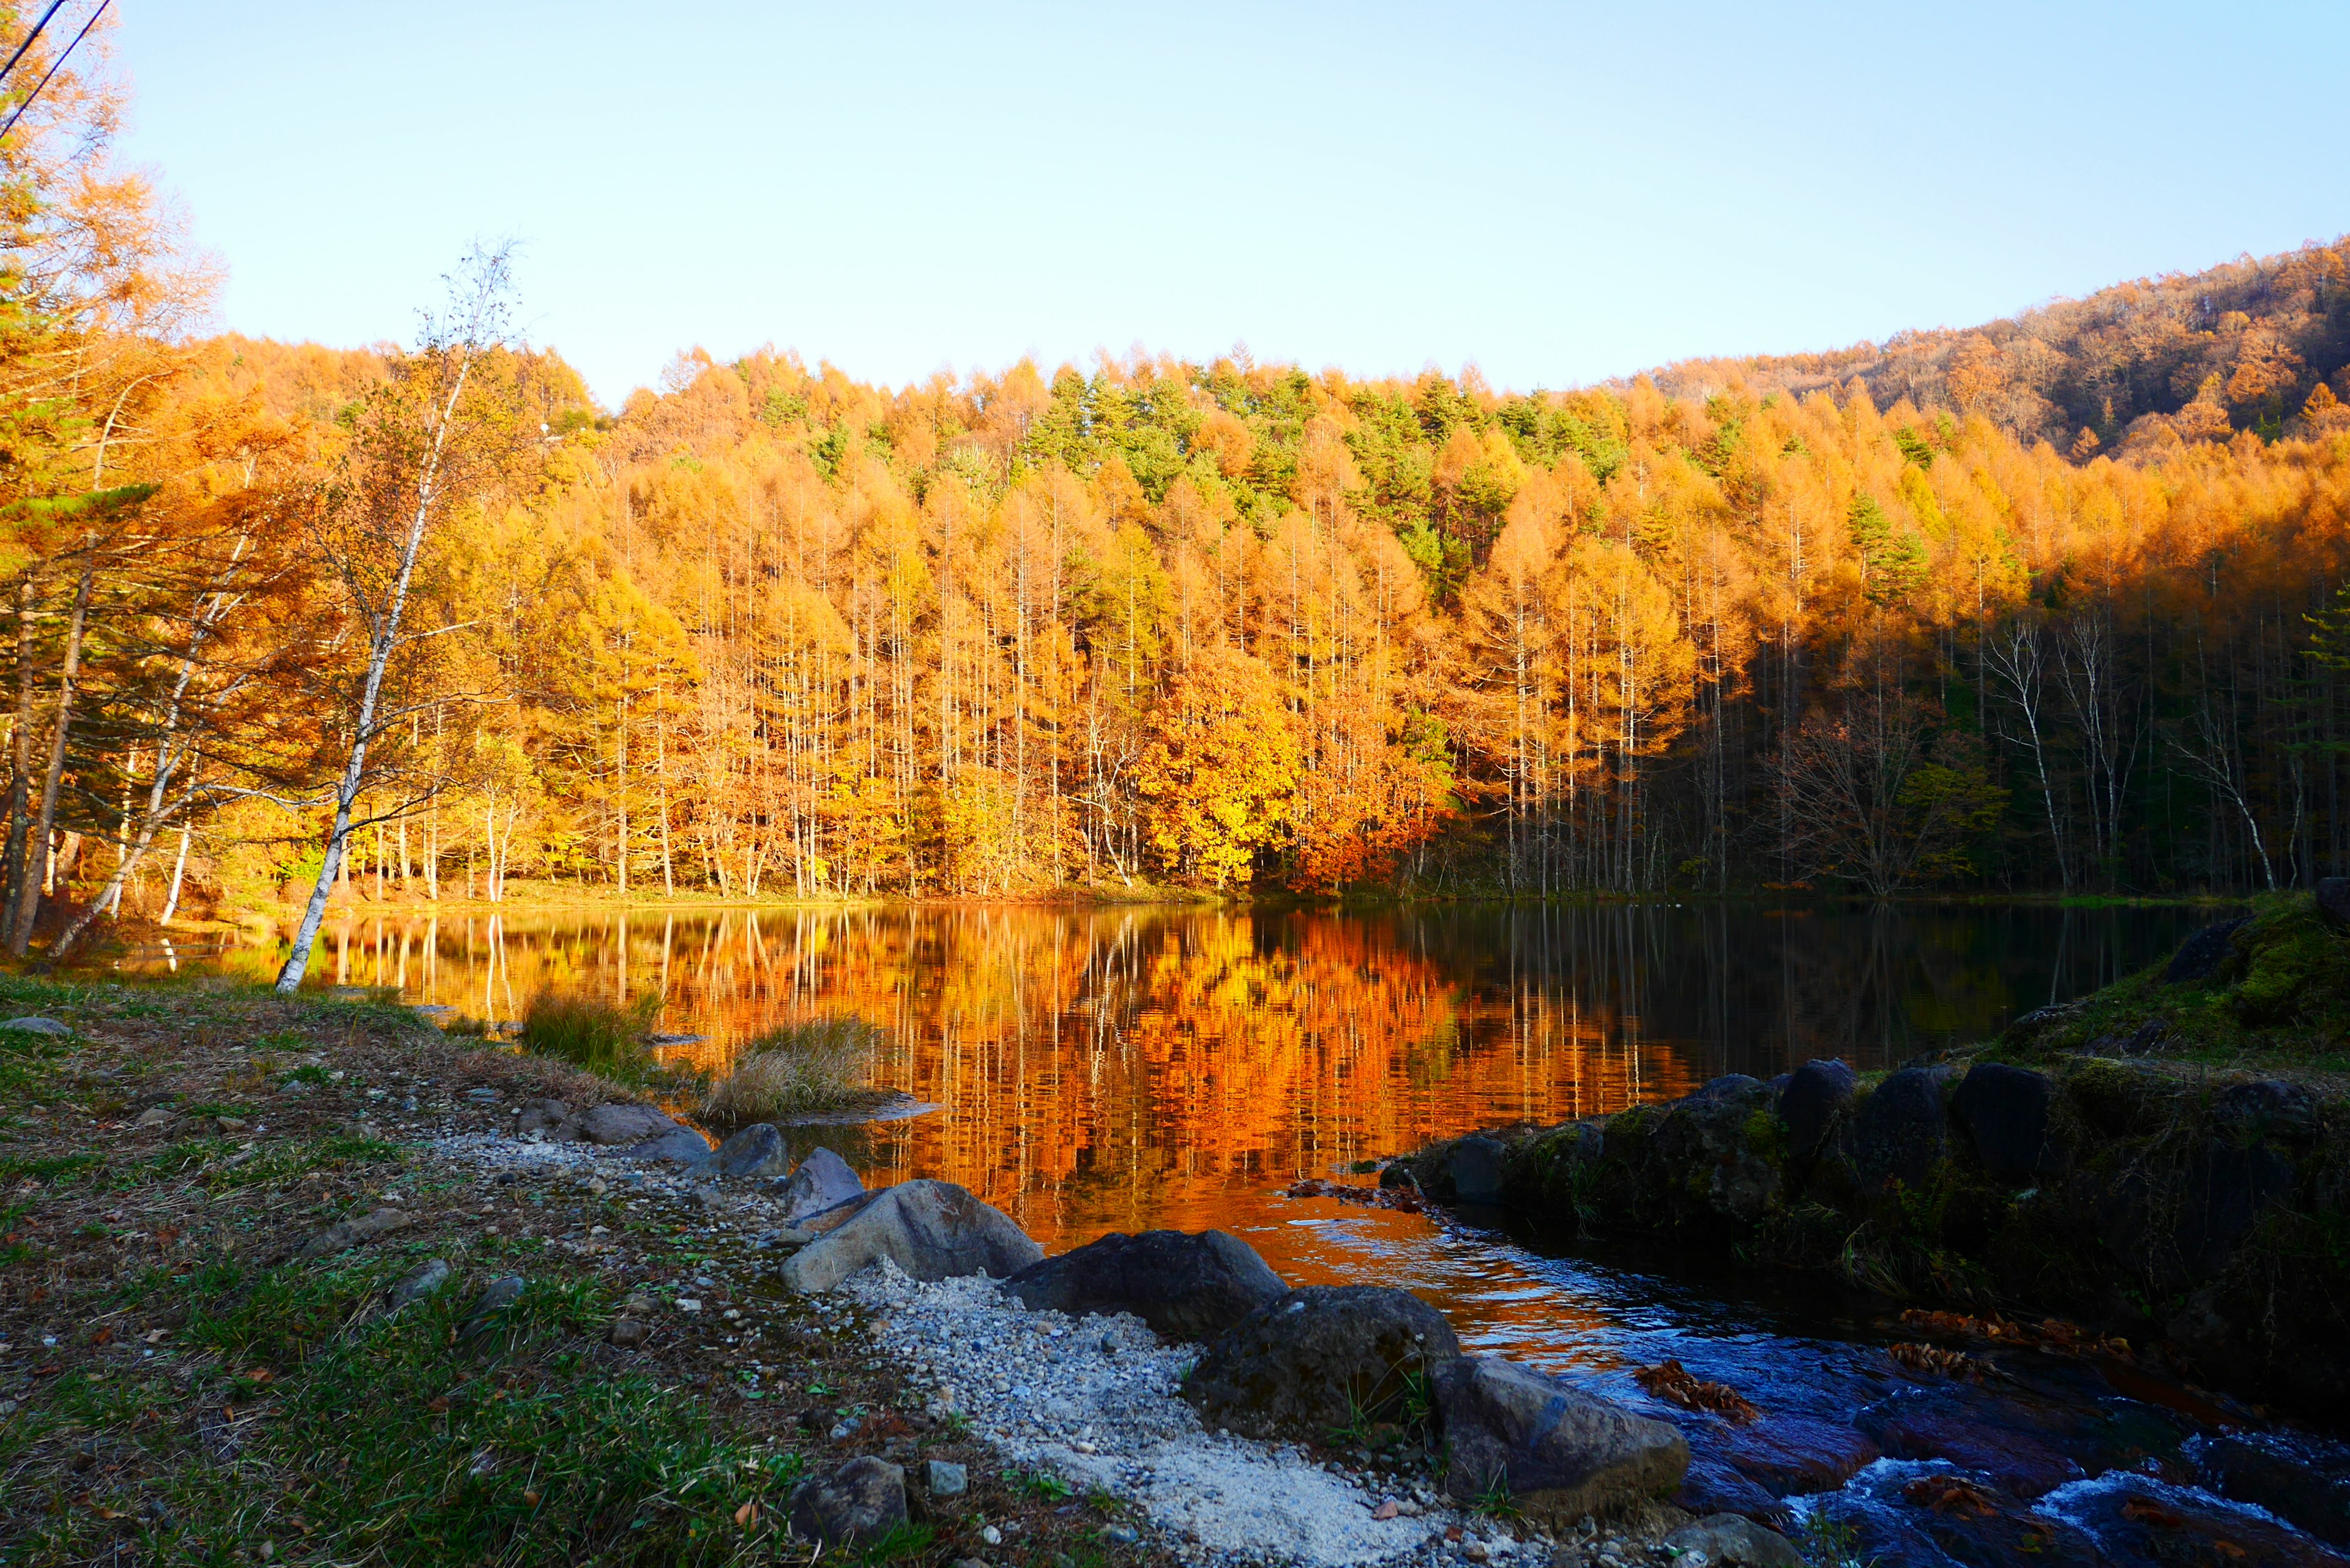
column 187, row 1376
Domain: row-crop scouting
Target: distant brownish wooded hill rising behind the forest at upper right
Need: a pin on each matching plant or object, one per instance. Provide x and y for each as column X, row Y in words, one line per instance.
column 2133, row 368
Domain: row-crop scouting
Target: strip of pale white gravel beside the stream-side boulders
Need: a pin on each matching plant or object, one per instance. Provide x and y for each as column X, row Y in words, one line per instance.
column 1094, row 1402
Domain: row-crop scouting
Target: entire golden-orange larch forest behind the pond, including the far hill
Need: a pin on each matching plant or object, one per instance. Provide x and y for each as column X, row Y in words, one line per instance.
column 2046, row 605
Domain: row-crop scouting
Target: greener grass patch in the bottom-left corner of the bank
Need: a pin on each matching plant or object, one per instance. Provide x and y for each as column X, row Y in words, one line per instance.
column 391, row 1442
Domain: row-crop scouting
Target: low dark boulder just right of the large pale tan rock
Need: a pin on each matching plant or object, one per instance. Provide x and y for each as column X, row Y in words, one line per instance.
column 1183, row 1287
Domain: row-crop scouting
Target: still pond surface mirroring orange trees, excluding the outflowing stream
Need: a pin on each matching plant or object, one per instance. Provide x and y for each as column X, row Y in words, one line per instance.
column 1127, row 1068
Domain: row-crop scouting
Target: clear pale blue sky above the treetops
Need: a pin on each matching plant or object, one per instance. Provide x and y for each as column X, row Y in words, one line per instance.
column 1552, row 192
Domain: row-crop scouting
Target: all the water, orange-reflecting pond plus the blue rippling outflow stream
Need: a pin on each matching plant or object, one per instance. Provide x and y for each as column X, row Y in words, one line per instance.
column 1174, row 1068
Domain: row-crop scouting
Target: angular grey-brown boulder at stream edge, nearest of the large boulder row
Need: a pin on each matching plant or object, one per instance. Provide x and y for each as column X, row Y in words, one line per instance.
column 1559, row 1452
